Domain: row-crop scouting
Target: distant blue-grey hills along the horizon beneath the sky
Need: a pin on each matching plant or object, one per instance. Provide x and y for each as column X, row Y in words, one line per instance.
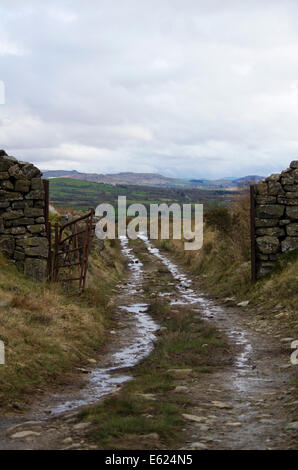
column 153, row 179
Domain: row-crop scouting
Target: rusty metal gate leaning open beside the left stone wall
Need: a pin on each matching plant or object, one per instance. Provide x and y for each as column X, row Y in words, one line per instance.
column 68, row 261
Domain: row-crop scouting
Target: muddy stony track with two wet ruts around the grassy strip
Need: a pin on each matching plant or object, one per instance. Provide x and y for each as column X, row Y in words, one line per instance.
column 246, row 404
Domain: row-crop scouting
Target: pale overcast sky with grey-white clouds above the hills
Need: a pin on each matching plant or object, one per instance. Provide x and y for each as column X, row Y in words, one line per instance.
column 192, row 88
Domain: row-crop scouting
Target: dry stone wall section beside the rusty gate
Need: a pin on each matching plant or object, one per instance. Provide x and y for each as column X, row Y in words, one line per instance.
column 22, row 224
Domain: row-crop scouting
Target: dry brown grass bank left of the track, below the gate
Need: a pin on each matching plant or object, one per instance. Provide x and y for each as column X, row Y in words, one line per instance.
column 45, row 332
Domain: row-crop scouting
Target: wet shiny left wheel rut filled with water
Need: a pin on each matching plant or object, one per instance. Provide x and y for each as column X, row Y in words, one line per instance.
column 133, row 343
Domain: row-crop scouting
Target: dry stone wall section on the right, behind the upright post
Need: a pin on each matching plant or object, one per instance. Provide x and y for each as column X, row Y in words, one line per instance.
column 276, row 217
